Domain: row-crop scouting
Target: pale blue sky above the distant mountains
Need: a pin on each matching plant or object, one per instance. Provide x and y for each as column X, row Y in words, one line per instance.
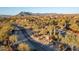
column 16, row 10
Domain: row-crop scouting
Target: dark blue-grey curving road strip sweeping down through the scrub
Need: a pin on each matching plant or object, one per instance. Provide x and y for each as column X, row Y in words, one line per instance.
column 38, row 46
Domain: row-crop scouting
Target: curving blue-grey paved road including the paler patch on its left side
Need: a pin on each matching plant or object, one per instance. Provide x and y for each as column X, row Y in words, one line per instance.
column 25, row 37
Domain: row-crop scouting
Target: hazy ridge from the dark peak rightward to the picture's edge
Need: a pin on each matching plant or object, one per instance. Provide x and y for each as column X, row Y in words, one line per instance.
column 42, row 14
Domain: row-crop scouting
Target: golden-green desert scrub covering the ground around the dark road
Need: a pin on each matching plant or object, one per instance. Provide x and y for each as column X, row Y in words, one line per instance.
column 47, row 29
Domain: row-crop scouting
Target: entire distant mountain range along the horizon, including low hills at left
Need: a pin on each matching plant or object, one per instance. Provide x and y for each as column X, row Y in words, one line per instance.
column 36, row 14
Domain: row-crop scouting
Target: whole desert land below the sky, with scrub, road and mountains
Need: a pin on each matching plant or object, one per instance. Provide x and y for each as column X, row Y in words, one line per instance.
column 28, row 31
